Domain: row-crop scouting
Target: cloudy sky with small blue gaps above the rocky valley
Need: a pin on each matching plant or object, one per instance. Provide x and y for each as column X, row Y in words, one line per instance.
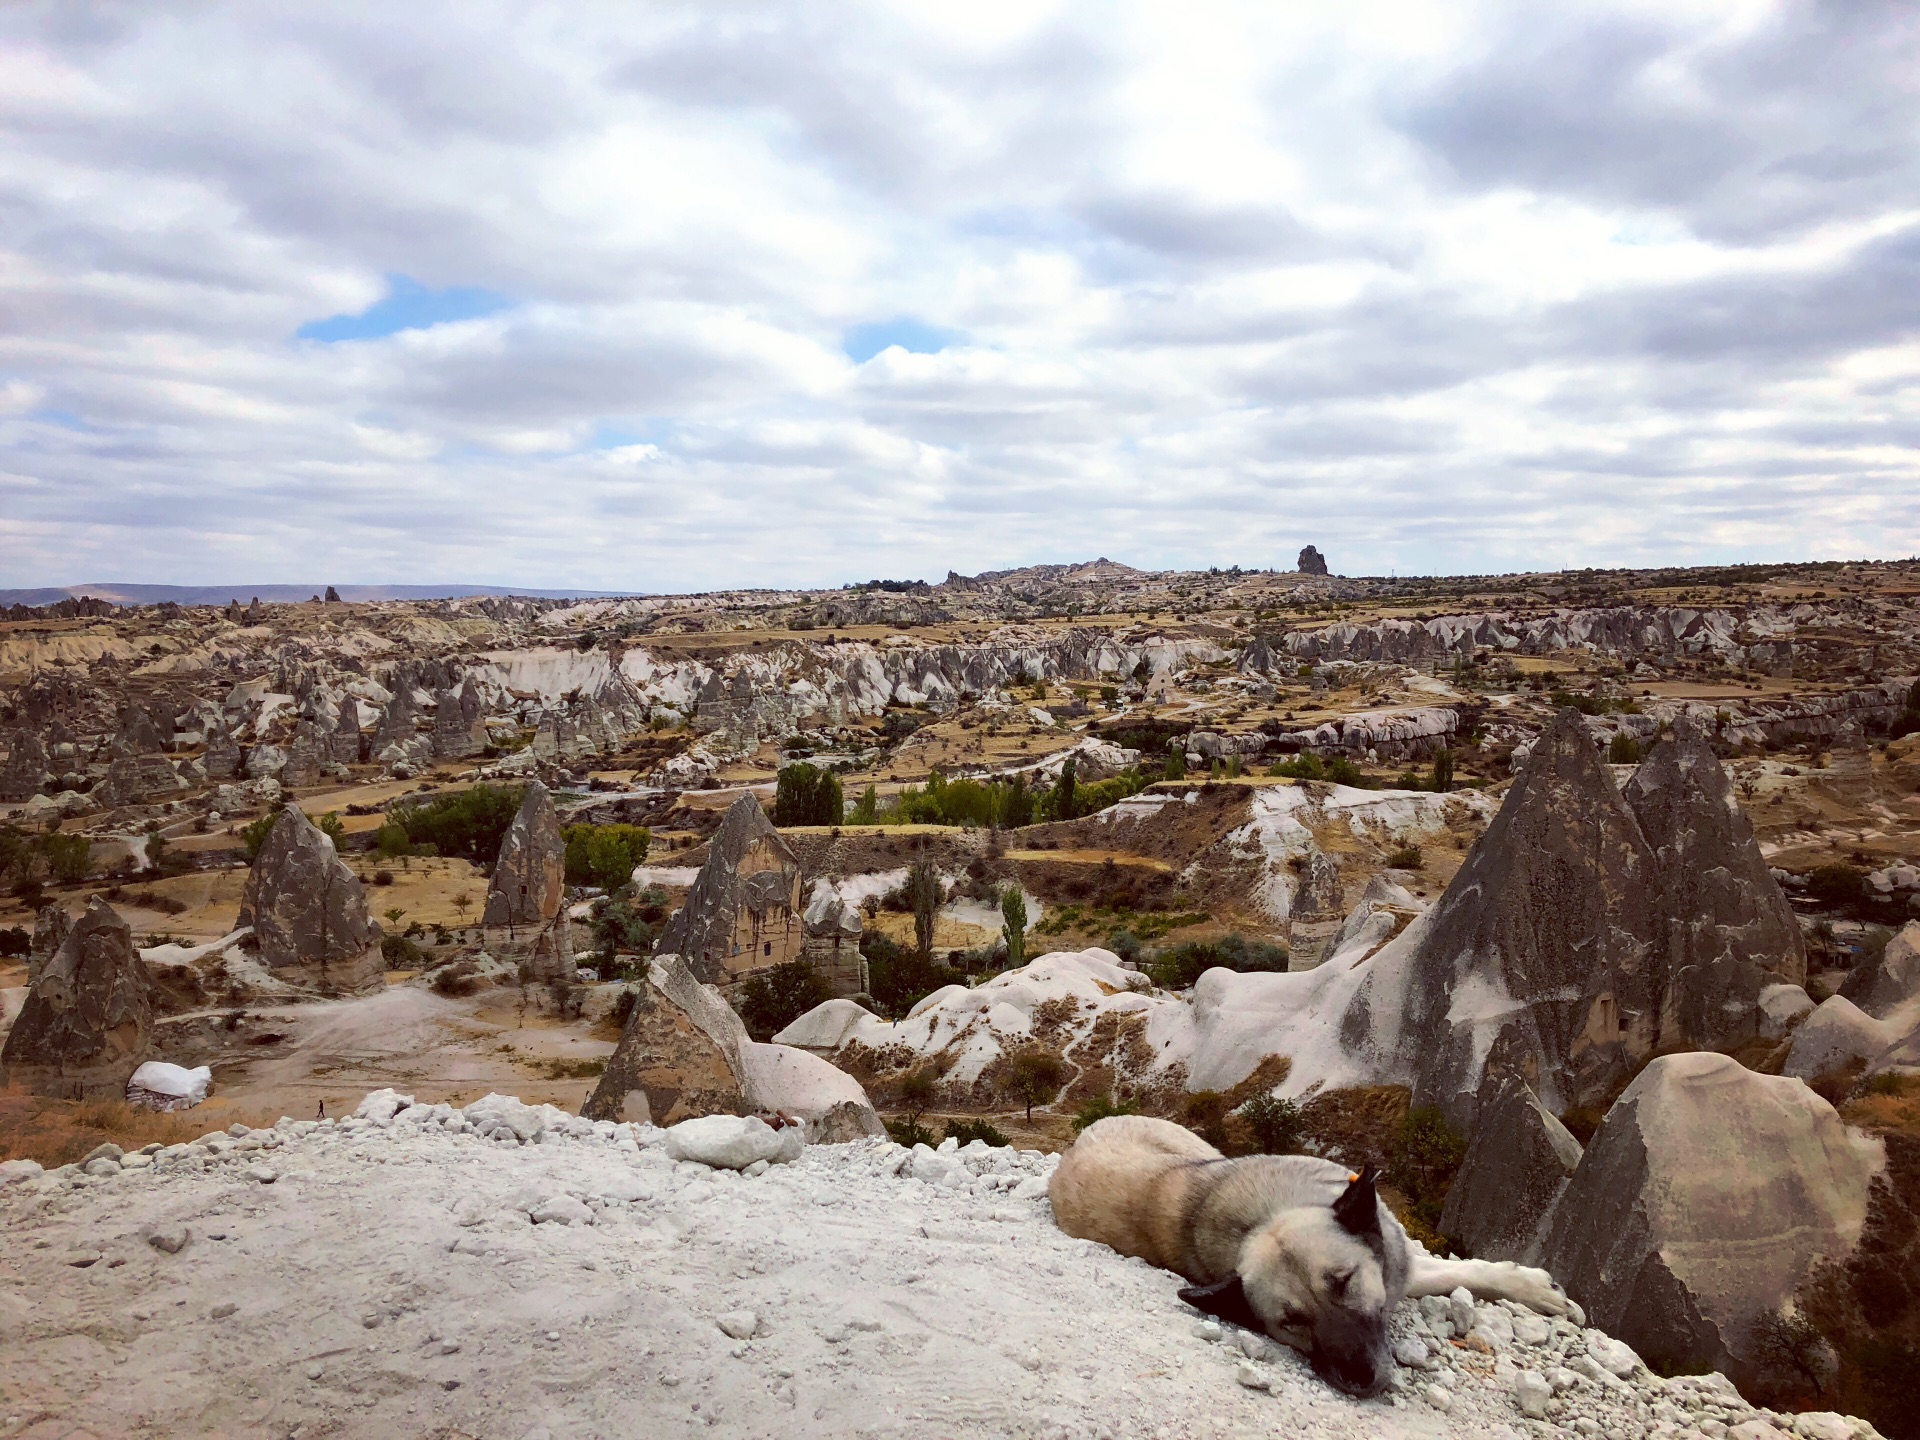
column 652, row 297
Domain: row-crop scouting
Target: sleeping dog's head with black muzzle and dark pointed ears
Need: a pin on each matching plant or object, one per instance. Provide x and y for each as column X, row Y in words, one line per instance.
column 1320, row 1280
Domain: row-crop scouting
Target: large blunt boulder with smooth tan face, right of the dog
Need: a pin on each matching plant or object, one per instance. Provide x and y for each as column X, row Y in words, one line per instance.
column 1700, row 1205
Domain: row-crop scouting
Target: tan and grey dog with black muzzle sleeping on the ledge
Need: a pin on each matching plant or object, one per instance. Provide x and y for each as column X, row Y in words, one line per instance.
column 1289, row 1245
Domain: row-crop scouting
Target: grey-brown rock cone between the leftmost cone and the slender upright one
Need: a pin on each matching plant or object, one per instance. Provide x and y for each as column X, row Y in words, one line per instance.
column 308, row 911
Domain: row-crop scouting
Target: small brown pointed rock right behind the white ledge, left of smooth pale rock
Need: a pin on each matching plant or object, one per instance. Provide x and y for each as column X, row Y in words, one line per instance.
column 679, row 1057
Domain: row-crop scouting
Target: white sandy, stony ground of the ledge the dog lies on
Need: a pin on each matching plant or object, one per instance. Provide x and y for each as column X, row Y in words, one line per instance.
column 387, row 1282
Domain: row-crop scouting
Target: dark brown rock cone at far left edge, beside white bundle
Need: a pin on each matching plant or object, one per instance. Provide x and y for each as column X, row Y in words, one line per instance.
column 89, row 1017
